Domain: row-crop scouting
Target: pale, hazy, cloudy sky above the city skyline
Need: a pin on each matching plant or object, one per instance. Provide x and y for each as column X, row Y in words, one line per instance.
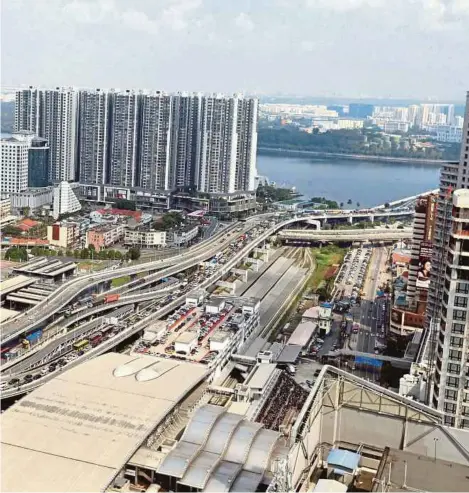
column 333, row 48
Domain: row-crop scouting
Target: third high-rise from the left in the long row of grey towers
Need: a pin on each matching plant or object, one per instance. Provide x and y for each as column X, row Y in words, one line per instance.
column 94, row 128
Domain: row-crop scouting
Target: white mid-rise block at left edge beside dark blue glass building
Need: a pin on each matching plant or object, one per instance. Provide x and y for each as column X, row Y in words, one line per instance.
column 14, row 165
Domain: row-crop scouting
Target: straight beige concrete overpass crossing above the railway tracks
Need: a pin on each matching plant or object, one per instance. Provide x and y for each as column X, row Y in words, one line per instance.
column 345, row 234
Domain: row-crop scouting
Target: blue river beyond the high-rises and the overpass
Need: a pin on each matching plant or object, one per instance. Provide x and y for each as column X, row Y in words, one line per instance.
column 367, row 182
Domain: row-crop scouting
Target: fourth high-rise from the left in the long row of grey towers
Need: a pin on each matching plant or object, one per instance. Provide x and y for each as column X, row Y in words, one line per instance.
column 124, row 139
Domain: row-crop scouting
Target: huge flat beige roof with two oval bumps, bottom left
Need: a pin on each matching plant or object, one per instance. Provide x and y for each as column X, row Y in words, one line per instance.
column 77, row 431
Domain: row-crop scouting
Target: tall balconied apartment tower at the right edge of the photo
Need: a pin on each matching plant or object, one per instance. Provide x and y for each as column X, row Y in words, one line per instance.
column 446, row 310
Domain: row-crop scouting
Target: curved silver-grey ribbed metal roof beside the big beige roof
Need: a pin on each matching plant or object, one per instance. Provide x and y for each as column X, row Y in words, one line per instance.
column 236, row 451
